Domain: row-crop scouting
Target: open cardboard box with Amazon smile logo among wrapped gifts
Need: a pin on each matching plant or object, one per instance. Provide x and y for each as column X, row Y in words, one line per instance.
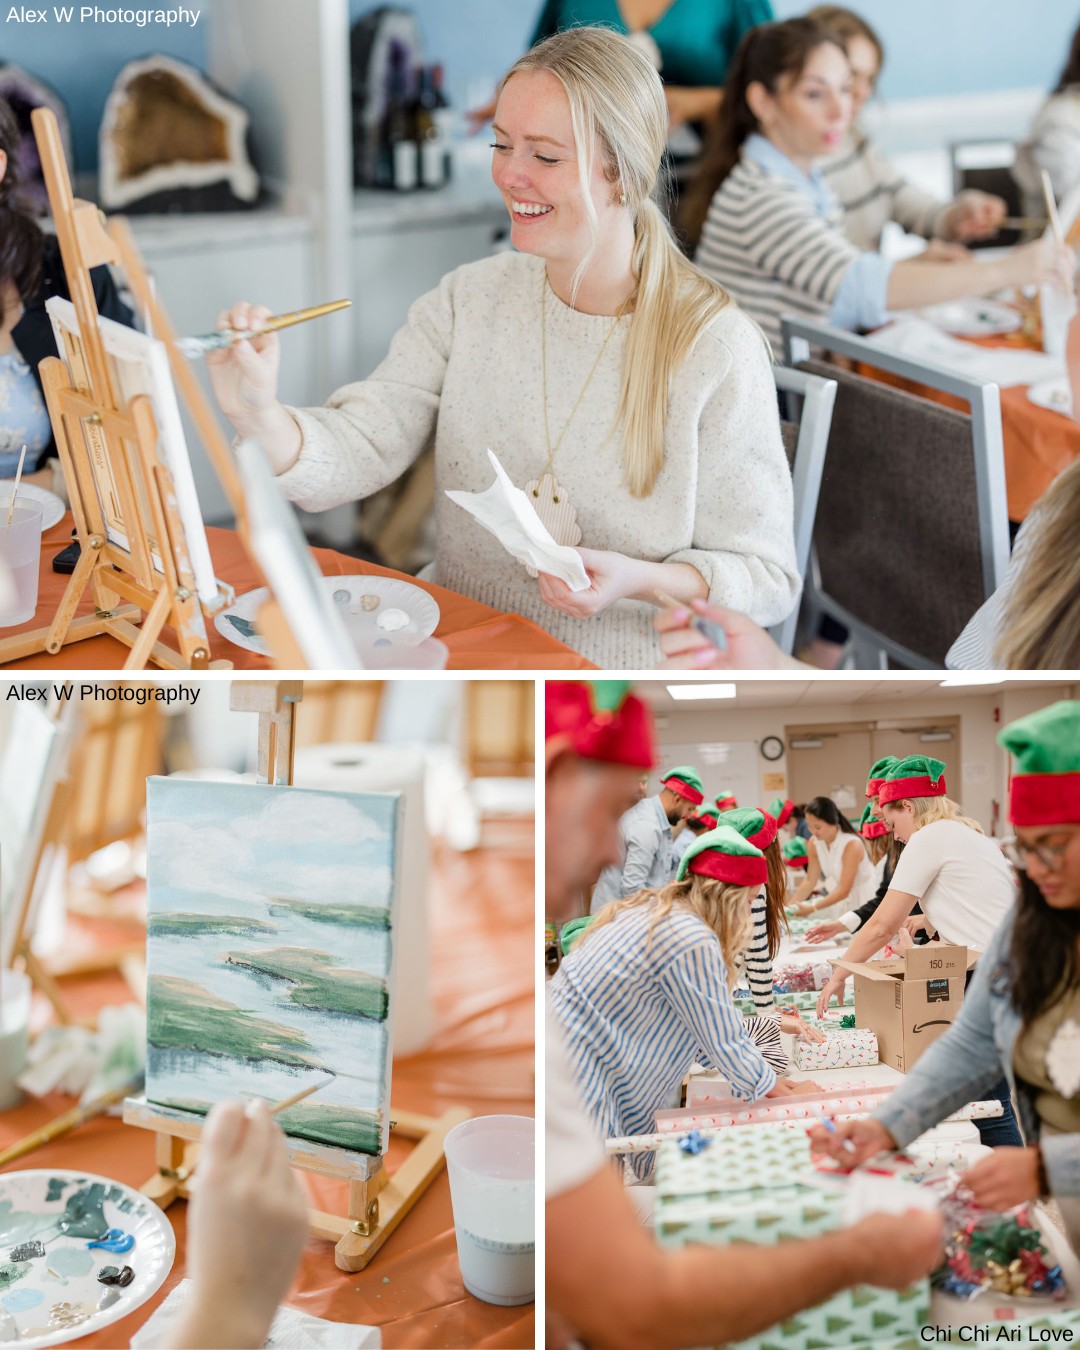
column 911, row 1001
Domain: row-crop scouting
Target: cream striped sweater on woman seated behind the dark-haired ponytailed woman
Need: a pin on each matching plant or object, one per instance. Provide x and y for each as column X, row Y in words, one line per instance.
column 871, row 191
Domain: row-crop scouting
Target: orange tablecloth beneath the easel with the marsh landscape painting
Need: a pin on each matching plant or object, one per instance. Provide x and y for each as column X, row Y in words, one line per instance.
column 483, row 1058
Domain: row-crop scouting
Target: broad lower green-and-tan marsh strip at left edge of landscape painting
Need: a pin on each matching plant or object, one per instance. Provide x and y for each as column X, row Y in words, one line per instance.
column 187, row 1017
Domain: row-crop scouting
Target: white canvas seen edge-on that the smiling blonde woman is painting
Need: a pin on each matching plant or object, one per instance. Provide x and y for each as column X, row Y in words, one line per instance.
column 140, row 365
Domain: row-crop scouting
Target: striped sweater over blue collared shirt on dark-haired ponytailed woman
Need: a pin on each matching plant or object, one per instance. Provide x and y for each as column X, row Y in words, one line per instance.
column 767, row 245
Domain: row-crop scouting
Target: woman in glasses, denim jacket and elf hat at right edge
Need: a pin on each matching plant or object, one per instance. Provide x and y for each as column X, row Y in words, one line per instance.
column 1021, row 1016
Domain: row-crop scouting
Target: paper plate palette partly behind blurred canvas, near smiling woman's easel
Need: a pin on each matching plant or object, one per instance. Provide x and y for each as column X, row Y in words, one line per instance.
column 381, row 614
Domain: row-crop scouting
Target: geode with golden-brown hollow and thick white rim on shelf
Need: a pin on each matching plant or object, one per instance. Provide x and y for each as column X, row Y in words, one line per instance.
column 172, row 141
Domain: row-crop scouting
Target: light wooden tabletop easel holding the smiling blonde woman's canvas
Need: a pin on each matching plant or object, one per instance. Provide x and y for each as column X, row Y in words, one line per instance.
column 134, row 600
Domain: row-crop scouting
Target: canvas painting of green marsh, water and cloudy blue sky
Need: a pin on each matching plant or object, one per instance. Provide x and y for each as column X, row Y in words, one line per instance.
column 269, row 952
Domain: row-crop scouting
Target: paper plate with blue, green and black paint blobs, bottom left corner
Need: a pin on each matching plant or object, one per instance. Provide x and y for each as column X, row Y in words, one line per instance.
column 56, row 1297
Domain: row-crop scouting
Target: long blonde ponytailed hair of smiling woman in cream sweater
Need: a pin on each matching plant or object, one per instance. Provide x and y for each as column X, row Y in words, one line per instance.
column 618, row 110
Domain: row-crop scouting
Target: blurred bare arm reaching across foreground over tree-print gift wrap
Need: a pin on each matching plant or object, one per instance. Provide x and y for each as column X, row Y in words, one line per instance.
column 611, row 1285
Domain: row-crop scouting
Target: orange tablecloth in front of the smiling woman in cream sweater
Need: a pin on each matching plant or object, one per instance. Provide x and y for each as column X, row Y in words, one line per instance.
column 479, row 638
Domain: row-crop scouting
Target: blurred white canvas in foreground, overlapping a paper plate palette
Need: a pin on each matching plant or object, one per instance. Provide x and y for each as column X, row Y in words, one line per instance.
column 286, row 558
